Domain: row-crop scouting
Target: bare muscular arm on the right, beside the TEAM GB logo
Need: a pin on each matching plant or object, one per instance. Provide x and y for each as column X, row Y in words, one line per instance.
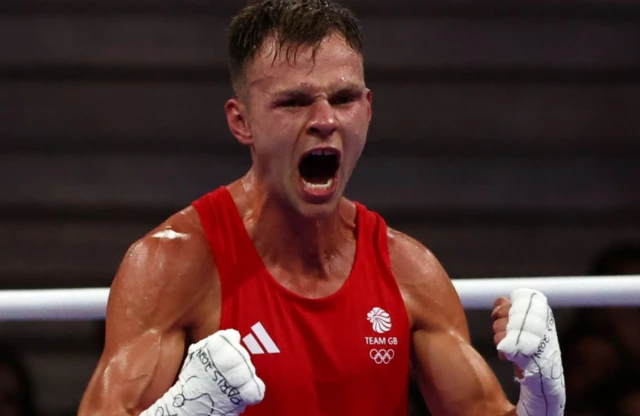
column 453, row 377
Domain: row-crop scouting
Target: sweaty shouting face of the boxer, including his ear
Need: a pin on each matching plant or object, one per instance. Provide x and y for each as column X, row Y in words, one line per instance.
column 306, row 122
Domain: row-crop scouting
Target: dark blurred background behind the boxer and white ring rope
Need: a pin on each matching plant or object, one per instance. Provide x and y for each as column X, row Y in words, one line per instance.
column 506, row 137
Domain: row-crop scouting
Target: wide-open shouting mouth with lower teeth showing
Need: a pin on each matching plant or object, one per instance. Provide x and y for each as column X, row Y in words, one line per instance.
column 318, row 169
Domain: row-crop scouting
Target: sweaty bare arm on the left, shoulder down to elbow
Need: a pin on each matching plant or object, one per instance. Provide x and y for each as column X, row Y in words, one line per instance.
column 152, row 301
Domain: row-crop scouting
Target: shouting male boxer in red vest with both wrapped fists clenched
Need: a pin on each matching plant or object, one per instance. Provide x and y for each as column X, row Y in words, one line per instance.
column 275, row 295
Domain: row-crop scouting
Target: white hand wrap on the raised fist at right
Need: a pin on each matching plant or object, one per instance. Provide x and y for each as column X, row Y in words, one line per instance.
column 532, row 344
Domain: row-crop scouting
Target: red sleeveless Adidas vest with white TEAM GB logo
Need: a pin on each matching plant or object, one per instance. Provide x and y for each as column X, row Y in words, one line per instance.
column 345, row 354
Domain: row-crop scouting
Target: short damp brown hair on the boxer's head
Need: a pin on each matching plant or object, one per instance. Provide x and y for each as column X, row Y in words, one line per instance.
column 293, row 23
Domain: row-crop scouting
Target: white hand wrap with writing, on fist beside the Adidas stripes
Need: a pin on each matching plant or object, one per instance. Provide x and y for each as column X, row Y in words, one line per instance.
column 217, row 378
